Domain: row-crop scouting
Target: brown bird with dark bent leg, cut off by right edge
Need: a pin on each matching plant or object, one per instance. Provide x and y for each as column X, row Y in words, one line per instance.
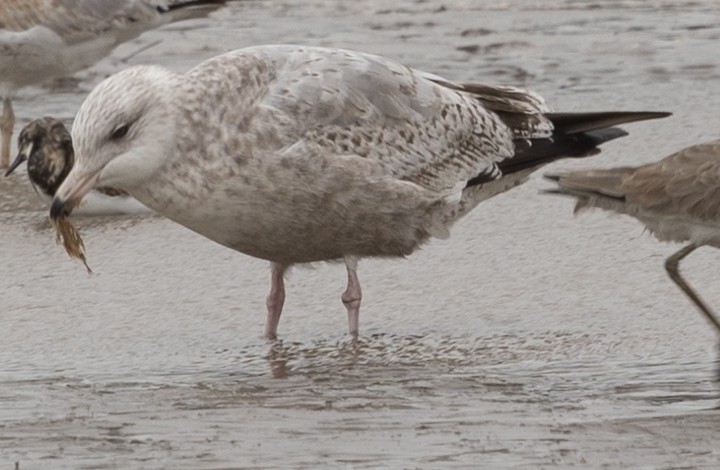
column 676, row 198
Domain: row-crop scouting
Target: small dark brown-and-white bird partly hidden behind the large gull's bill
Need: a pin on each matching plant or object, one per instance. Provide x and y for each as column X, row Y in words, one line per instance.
column 46, row 145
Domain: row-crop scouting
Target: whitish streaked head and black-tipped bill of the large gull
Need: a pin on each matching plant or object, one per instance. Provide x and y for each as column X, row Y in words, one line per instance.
column 120, row 134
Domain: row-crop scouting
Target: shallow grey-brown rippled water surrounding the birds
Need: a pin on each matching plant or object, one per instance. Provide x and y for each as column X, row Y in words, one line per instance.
column 528, row 339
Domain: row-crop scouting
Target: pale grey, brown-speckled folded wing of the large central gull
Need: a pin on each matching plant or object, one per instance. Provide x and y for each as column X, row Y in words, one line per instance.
column 411, row 125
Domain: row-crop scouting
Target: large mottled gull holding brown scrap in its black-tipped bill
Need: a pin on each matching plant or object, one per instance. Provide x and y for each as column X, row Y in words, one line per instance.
column 296, row 154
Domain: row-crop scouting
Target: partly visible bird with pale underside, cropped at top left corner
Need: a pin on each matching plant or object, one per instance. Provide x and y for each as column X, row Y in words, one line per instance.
column 42, row 40
